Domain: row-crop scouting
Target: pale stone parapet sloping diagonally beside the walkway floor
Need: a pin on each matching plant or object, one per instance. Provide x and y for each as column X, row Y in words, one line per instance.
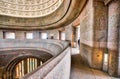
column 57, row 68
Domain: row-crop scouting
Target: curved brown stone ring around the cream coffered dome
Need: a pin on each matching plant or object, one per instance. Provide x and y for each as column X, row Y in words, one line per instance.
column 64, row 15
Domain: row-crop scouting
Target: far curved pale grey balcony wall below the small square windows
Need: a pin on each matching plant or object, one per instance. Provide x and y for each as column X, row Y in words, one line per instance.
column 54, row 46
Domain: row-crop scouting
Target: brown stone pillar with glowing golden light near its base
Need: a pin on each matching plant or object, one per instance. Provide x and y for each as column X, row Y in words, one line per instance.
column 100, row 27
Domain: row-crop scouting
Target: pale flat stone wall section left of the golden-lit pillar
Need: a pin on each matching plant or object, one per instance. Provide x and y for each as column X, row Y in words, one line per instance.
column 86, row 32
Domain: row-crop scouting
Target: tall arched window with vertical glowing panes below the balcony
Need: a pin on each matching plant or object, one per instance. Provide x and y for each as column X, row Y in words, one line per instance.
column 26, row 66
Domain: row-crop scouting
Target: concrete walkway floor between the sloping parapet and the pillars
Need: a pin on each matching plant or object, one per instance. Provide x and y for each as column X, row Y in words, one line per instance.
column 81, row 71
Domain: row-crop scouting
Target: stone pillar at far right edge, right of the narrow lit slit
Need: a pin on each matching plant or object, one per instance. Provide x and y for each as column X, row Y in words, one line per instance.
column 113, row 37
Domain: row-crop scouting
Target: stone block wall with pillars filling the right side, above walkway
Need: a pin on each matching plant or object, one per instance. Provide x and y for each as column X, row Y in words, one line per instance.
column 100, row 35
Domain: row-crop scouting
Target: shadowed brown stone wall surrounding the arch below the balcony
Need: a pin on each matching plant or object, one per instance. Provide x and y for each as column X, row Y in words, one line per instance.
column 7, row 56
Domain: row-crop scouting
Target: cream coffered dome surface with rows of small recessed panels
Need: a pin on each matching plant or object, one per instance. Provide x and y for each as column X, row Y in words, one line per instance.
column 28, row 8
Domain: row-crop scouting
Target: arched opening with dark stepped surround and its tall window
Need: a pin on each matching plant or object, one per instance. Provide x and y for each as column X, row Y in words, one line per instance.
column 21, row 66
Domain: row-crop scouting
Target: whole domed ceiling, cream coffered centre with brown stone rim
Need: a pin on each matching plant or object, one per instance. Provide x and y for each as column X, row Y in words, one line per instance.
column 38, row 14
